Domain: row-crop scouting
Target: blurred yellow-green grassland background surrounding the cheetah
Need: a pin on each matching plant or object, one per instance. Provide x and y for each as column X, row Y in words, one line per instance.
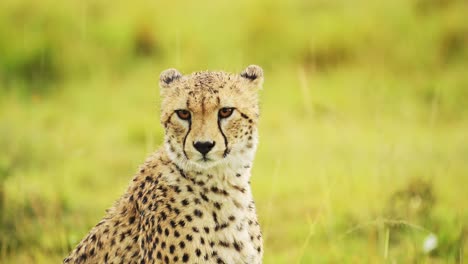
column 363, row 139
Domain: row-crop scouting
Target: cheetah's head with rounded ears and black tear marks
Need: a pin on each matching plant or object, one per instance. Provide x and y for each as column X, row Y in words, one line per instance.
column 210, row 118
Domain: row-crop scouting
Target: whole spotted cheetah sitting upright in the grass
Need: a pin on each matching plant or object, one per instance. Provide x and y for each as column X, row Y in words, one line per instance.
column 191, row 201
